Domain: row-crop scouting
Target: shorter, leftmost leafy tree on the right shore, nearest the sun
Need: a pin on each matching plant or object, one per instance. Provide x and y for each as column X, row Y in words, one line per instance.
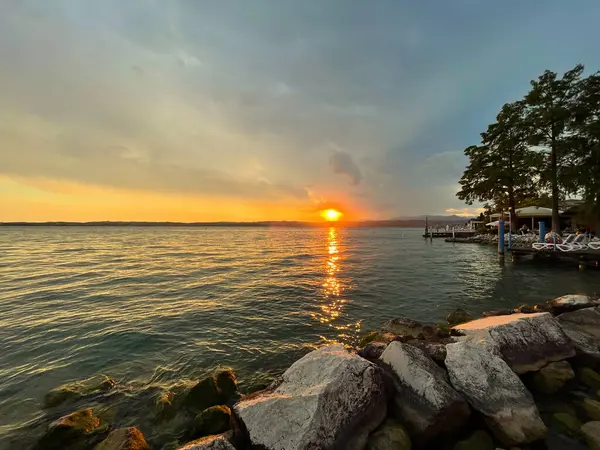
column 503, row 168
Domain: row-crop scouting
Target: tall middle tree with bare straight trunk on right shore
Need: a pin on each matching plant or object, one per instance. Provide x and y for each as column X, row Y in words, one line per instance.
column 549, row 114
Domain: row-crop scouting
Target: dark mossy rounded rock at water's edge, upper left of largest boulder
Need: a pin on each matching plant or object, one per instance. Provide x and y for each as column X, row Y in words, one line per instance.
column 212, row 391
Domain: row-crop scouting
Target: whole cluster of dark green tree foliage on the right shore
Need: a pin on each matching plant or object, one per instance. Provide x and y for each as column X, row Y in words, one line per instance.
column 541, row 148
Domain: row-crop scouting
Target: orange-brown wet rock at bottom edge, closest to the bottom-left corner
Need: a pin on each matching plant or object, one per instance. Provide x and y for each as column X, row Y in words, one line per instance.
column 68, row 430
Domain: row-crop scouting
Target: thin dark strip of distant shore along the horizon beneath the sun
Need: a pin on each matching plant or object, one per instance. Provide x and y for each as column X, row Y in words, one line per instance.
column 290, row 224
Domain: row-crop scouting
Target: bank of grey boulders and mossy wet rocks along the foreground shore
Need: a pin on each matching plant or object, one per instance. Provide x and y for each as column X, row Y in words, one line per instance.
column 524, row 378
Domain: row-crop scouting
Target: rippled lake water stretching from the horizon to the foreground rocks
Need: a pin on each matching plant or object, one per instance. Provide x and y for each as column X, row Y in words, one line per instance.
column 154, row 305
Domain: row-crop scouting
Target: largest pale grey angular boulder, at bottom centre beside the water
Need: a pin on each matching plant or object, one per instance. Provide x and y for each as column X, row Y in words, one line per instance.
column 327, row 399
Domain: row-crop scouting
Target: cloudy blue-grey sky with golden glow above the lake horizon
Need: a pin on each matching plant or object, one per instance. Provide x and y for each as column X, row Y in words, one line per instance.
column 200, row 110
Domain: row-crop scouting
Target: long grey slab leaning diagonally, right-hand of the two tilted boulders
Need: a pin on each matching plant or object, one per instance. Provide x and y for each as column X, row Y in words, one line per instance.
column 493, row 389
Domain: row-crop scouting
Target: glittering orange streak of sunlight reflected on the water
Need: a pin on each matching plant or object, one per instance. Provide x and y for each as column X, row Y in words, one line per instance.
column 333, row 290
